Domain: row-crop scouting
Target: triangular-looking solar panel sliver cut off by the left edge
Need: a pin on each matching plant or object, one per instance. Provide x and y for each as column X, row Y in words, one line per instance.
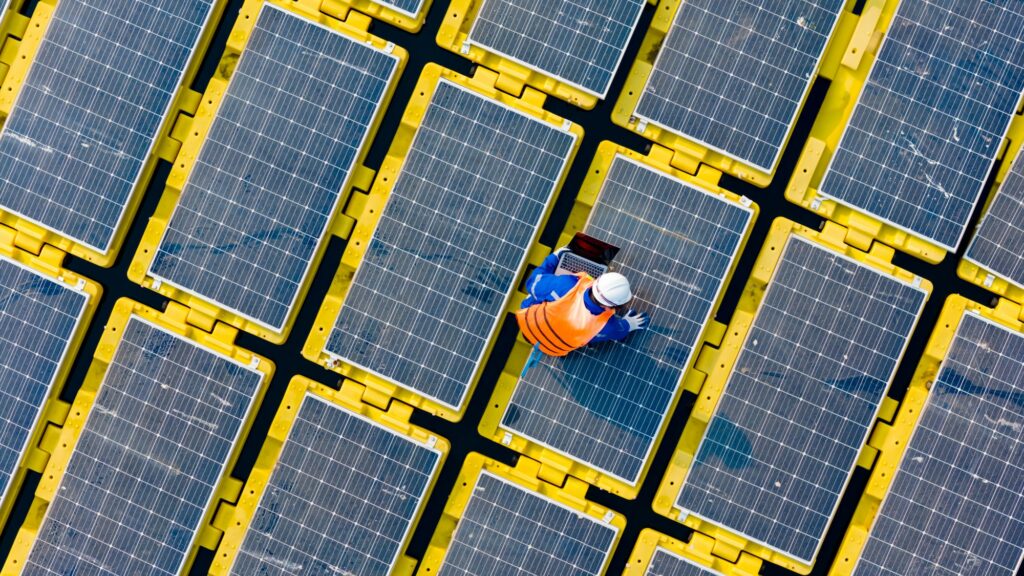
column 38, row 319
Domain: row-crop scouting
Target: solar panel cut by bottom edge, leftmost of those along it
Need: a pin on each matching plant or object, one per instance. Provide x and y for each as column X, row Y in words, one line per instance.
column 159, row 436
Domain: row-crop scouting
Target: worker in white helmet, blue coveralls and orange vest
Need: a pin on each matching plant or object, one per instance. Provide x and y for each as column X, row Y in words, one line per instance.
column 569, row 312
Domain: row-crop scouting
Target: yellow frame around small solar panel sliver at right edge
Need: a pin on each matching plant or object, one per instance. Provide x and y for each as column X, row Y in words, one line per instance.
column 971, row 270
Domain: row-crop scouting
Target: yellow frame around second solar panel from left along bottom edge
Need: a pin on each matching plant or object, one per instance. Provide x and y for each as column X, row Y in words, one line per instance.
column 235, row 520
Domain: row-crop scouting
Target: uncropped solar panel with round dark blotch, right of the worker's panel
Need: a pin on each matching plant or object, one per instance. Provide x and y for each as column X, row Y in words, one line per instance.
column 801, row 399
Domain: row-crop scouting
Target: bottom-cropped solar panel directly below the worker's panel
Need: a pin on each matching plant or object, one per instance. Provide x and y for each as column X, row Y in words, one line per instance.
column 507, row 529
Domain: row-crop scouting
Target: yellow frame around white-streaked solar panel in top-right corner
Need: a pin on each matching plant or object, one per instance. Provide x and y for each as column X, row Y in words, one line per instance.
column 838, row 107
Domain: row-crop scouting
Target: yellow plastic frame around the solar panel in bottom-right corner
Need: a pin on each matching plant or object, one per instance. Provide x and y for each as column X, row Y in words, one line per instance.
column 891, row 440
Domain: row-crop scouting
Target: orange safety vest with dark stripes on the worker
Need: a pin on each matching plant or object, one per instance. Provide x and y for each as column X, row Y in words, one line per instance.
column 564, row 325
